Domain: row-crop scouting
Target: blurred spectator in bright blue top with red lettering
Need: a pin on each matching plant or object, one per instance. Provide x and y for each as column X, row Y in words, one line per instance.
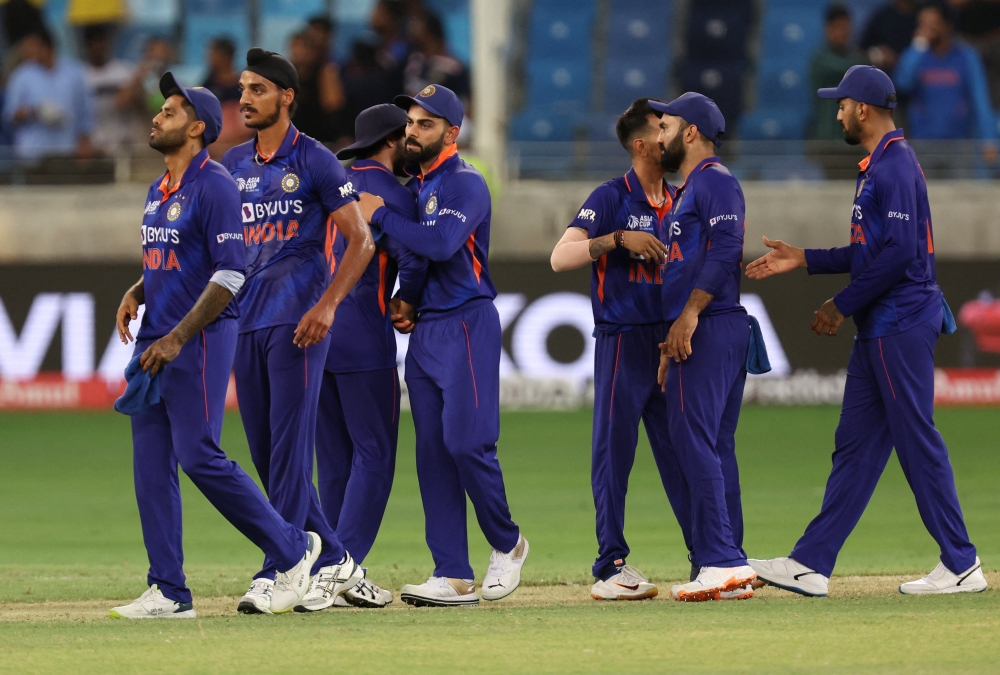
column 944, row 77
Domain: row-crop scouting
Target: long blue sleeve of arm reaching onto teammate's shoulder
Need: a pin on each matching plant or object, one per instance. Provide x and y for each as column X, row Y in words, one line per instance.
column 463, row 203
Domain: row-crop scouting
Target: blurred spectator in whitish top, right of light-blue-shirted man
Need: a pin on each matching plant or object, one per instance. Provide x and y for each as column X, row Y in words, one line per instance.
column 117, row 107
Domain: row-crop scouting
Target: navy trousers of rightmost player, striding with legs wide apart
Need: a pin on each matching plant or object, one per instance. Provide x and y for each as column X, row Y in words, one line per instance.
column 889, row 402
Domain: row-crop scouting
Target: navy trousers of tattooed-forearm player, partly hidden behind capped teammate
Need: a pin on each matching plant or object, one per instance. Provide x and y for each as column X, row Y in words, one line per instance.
column 625, row 393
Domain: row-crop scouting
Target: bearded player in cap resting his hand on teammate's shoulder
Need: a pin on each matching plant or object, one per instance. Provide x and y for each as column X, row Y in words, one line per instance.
column 453, row 360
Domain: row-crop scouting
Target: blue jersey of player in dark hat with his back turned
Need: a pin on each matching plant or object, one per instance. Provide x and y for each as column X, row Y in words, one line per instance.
column 361, row 337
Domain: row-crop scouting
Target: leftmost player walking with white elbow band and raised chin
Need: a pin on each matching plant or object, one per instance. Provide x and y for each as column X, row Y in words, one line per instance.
column 193, row 264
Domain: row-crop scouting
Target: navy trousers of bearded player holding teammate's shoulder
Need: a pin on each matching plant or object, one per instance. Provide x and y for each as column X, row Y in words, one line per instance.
column 453, row 377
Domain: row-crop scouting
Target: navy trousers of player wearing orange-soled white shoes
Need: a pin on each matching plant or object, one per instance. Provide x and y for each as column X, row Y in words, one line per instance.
column 704, row 395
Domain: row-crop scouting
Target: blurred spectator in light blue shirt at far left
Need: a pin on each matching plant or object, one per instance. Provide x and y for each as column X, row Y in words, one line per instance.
column 47, row 103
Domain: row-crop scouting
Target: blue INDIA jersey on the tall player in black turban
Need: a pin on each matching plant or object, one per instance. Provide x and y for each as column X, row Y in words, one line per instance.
column 287, row 202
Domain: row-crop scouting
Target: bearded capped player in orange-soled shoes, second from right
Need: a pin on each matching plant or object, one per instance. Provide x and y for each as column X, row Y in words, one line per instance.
column 704, row 356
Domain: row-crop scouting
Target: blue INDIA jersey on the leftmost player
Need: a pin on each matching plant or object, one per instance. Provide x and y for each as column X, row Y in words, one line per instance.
column 188, row 233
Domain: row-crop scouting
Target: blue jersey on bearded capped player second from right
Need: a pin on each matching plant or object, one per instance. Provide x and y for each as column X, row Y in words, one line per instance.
column 705, row 237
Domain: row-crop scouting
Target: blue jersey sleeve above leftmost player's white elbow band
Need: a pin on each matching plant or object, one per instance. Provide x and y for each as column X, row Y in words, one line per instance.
column 219, row 204
